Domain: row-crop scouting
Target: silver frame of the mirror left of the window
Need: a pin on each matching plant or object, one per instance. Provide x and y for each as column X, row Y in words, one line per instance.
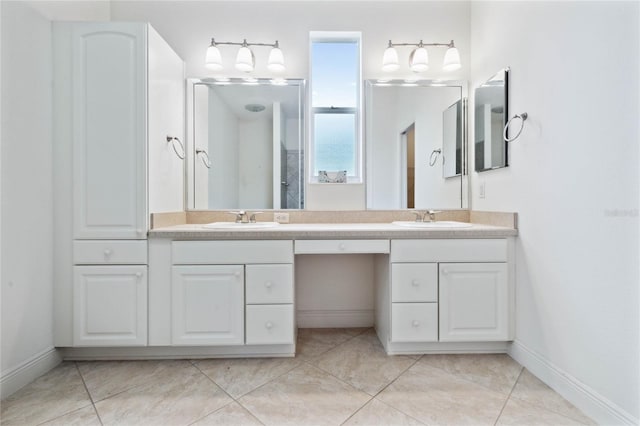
column 190, row 155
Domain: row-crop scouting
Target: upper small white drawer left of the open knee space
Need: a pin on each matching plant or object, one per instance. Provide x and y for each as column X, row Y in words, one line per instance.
column 269, row 284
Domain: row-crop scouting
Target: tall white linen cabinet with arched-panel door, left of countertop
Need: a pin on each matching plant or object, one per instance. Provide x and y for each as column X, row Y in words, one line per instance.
column 118, row 94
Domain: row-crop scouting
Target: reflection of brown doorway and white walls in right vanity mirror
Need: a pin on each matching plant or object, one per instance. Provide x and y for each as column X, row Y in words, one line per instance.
column 405, row 124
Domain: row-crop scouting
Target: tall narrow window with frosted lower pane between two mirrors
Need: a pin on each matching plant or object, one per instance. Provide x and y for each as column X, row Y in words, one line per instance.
column 335, row 104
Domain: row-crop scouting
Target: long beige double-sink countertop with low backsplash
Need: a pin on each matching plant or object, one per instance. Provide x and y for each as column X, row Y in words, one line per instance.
column 497, row 225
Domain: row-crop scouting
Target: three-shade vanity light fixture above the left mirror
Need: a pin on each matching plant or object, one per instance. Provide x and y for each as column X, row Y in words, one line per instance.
column 245, row 59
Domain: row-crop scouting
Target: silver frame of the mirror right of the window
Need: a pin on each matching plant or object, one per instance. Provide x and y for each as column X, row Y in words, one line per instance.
column 465, row 187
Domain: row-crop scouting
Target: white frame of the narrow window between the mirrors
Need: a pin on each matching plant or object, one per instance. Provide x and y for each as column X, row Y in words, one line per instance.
column 336, row 36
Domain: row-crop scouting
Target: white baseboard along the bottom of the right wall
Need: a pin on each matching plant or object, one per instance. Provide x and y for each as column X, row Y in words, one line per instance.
column 594, row 405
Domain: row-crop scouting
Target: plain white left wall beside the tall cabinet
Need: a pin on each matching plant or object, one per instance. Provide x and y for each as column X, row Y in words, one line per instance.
column 27, row 258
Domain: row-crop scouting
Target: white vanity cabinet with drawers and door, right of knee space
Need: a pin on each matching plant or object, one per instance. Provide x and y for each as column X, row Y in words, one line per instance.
column 446, row 290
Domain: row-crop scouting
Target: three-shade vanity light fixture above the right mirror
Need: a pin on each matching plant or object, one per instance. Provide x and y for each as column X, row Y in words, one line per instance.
column 419, row 57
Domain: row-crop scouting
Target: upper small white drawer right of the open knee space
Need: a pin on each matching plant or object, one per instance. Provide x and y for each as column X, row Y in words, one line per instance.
column 414, row 282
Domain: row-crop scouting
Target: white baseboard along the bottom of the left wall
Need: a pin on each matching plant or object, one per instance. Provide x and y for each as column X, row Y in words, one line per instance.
column 28, row 371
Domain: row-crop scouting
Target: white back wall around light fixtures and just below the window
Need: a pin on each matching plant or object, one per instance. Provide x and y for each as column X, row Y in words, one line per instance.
column 189, row 27
